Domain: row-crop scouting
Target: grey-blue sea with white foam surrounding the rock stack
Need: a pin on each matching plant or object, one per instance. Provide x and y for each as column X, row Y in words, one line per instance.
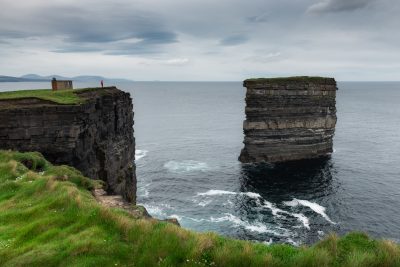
column 189, row 136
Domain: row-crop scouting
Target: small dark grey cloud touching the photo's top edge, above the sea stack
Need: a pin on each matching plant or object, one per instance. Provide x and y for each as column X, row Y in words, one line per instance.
column 338, row 5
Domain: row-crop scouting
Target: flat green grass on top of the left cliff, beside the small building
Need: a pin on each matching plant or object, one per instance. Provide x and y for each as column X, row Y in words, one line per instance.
column 60, row 97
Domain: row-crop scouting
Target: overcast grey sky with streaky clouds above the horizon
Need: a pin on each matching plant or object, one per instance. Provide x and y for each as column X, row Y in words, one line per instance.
column 202, row 40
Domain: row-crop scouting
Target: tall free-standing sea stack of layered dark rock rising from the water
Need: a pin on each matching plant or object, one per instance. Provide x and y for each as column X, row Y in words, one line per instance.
column 289, row 119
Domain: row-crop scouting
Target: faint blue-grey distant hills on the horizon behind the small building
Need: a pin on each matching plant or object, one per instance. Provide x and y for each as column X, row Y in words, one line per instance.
column 38, row 78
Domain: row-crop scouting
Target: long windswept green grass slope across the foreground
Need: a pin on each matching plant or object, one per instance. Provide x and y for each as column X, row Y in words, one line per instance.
column 48, row 217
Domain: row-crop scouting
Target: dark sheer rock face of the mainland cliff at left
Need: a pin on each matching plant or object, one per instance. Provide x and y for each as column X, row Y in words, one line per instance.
column 96, row 137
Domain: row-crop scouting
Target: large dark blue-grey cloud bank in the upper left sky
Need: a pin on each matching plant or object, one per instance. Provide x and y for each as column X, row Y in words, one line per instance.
column 87, row 29
